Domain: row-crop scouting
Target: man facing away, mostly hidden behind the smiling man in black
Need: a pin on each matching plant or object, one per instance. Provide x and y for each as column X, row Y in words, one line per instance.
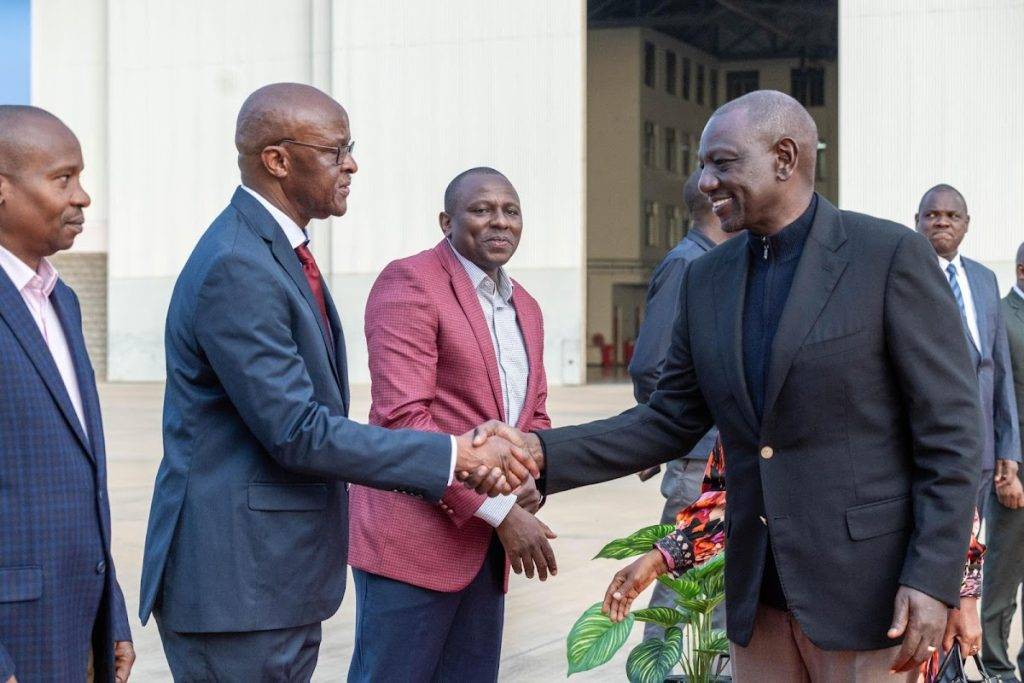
column 684, row 477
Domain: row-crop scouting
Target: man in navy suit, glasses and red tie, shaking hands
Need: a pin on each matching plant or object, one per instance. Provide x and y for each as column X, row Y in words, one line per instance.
column 247, row 543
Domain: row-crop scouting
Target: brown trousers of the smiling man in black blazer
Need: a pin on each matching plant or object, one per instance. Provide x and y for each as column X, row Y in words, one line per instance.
column 781, row 653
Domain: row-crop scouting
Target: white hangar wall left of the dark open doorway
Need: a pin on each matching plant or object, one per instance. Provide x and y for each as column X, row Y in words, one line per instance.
column 153, row 90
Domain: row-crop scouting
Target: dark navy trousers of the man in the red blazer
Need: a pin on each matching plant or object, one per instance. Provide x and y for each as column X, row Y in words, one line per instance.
column 411, row 634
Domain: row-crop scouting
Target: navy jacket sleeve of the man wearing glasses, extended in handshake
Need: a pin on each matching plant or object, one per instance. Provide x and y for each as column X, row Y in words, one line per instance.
column 246, row 330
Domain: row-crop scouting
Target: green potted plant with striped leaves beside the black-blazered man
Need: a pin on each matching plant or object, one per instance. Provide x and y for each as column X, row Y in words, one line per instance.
column 690, row 639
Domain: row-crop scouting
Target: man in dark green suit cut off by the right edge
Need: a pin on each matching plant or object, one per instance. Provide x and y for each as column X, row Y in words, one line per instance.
column 1005, row 561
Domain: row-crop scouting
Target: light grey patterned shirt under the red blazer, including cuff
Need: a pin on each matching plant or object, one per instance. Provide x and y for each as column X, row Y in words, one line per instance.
column 510, row 352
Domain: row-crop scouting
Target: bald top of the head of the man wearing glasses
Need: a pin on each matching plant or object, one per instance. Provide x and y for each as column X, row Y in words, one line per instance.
column 281, row 111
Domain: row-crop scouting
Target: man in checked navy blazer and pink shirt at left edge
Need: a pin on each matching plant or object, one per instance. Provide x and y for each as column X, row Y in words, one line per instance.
column 62, row 611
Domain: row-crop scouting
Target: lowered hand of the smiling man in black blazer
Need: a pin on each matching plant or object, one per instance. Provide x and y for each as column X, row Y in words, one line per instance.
column 921, row 621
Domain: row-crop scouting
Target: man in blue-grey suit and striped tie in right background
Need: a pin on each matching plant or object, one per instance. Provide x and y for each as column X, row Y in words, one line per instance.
column 943, row 218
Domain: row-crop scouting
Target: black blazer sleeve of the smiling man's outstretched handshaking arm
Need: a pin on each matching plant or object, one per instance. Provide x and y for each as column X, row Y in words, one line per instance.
column 672, row 422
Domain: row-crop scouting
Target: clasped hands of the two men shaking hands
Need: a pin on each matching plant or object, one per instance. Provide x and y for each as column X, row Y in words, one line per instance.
column 496, row 458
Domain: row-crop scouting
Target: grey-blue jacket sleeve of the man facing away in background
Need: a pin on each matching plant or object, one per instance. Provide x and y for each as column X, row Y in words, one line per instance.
column 656, row 331
